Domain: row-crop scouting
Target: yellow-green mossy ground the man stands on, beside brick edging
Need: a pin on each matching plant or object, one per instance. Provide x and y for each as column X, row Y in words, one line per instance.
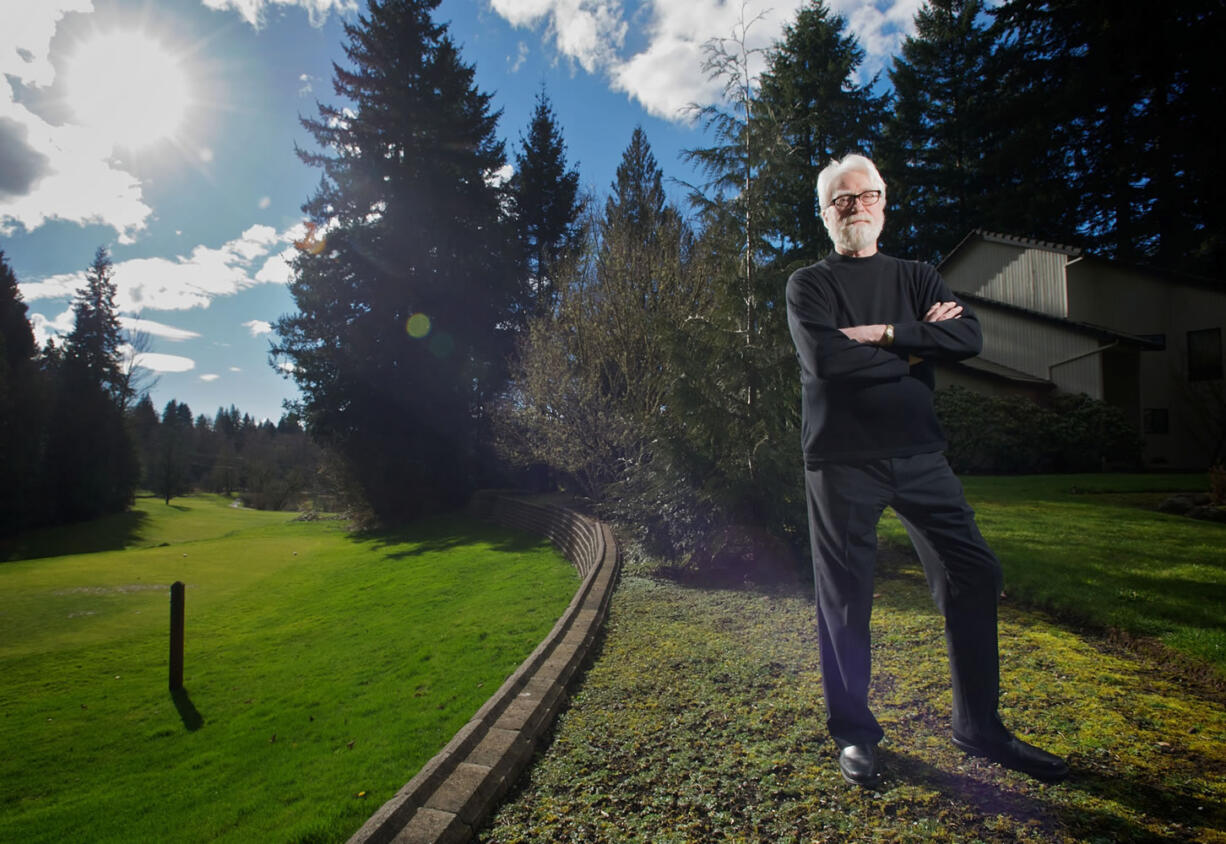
column 702, row 721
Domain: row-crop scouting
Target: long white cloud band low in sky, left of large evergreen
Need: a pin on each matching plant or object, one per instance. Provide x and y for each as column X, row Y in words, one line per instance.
column 187, row 282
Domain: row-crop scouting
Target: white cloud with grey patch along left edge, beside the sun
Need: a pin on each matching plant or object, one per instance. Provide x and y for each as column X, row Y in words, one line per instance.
column 55, row 172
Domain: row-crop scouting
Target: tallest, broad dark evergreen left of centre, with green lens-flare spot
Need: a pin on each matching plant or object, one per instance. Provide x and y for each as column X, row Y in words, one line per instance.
column 404, row 318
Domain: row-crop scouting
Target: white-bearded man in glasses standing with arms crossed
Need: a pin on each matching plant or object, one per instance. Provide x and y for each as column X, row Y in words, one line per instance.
column 866, row 327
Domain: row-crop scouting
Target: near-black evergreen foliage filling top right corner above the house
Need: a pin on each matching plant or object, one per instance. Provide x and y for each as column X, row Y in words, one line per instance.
column 1114, row 105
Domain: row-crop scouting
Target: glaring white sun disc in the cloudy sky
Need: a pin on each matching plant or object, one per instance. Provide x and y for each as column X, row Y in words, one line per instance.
column 128, row 88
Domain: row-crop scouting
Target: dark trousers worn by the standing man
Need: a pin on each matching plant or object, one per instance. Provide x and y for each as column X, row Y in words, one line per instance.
column 847, row 501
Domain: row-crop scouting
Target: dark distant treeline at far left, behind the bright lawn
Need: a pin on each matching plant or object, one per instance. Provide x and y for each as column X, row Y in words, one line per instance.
column 77, row 442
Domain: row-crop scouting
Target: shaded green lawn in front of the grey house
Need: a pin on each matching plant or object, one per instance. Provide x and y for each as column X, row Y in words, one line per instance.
column 1094, row 550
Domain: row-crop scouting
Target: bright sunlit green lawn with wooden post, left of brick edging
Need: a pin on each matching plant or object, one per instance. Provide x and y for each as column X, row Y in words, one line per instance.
column 322, row 670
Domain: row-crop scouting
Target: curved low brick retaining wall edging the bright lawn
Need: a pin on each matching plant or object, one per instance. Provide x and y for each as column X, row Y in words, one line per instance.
column 457, row 791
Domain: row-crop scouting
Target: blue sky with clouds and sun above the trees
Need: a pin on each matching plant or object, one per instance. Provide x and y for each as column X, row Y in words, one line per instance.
column 202, row 205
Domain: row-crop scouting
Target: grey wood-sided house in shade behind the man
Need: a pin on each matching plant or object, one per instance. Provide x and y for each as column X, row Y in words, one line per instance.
column 1144, row 340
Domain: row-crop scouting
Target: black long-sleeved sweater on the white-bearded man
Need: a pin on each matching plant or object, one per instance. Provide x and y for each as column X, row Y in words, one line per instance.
column 862, row 402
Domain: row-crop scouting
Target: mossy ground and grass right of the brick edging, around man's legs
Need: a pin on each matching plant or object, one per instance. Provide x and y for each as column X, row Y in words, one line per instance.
column 702, row 718
